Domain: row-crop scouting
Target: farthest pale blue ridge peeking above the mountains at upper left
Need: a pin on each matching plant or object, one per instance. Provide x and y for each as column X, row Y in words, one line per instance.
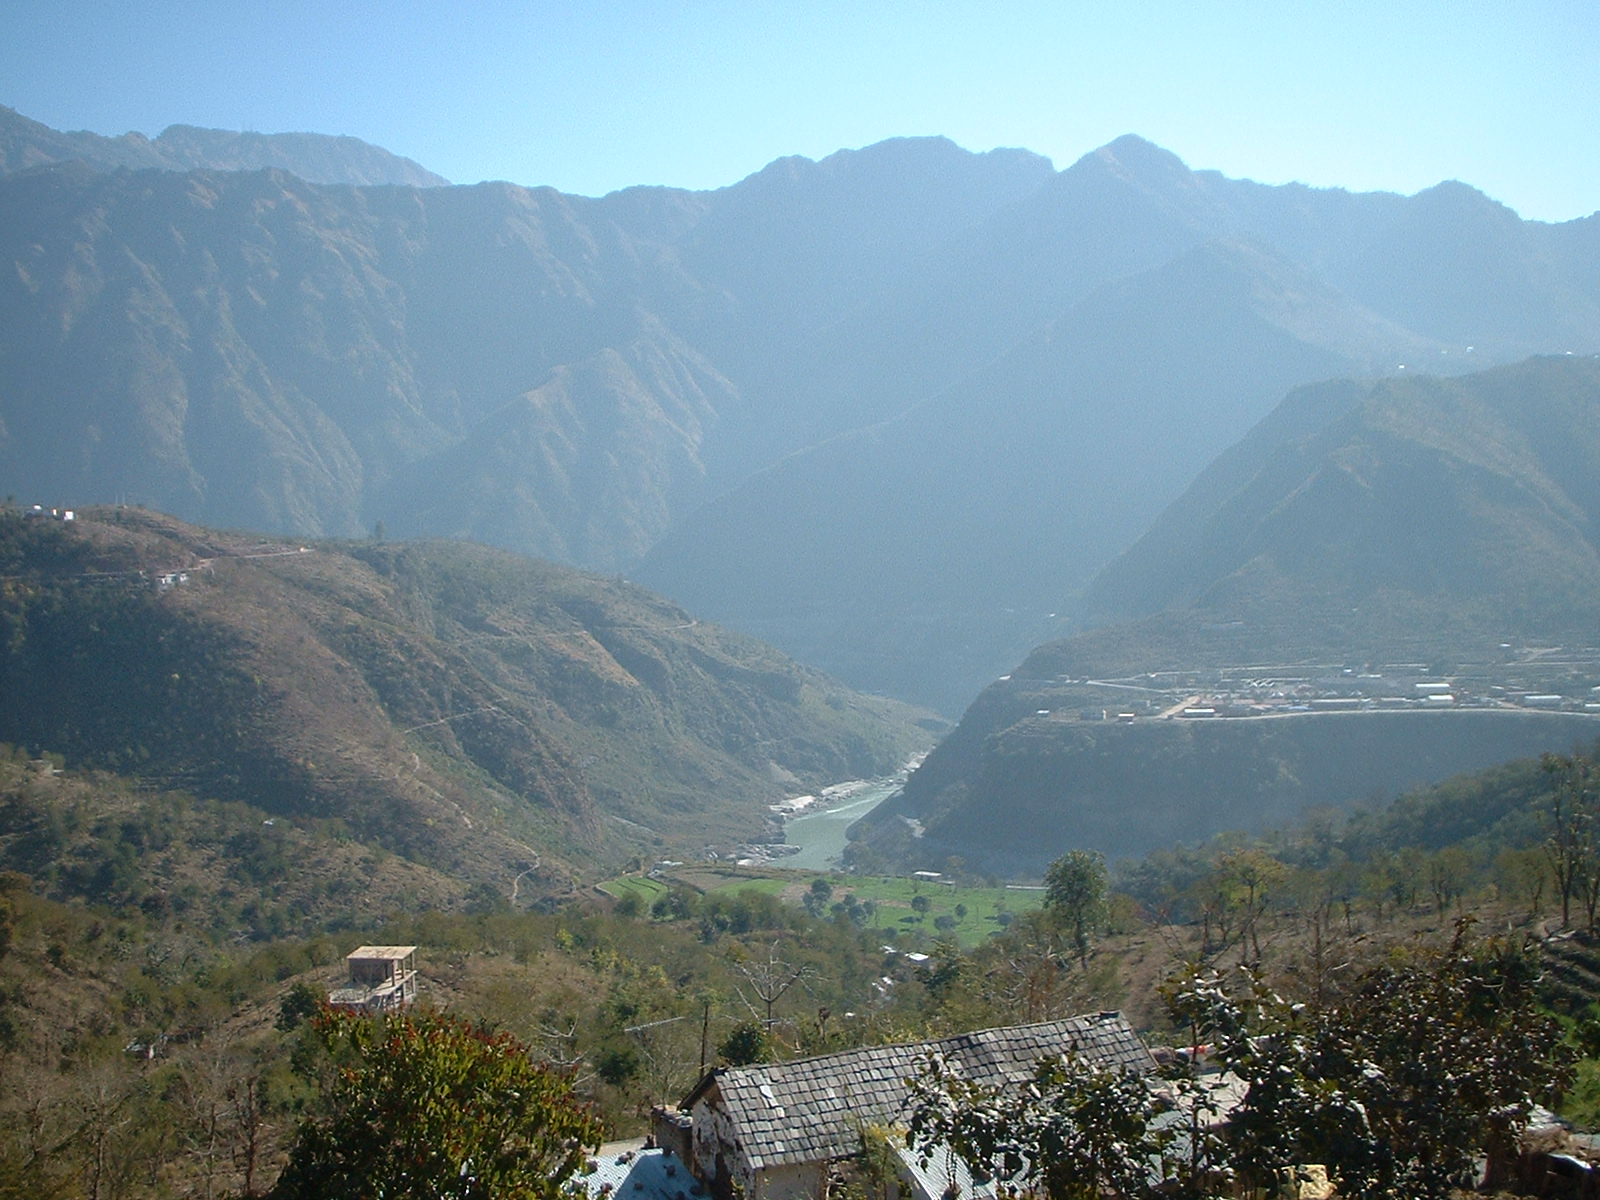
column 314, row 158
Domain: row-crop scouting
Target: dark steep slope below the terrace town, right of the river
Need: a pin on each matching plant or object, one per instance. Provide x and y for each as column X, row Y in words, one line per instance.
column 1031, row 788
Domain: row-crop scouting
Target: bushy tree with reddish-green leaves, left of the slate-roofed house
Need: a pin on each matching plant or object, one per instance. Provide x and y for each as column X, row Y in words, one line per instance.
column 423, row 1105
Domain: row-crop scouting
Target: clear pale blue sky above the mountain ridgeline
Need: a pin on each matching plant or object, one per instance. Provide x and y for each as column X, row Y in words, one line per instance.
column 593, row 97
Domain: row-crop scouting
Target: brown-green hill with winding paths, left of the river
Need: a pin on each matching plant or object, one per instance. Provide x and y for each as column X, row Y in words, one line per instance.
column 471, row 710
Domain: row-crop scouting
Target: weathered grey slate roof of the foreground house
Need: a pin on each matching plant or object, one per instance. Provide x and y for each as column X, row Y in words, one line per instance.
column 814, row 1110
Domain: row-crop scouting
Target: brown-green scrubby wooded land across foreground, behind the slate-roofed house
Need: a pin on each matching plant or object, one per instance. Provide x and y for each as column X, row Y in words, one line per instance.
column 154, row 1042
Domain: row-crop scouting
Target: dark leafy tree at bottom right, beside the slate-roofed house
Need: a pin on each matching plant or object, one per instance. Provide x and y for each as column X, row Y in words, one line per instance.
column 1430, row 1060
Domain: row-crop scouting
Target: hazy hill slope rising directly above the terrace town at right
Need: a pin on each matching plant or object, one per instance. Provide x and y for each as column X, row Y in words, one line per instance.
column 1478, row 497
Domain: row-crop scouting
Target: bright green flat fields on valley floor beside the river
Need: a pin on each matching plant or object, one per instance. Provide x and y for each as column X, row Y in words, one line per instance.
column 886, row 903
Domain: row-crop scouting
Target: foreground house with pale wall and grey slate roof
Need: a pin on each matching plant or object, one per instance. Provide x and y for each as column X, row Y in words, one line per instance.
column 772, row 1132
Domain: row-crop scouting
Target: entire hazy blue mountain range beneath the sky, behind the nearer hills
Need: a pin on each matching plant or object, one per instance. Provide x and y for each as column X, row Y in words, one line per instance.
column 890, row 410
